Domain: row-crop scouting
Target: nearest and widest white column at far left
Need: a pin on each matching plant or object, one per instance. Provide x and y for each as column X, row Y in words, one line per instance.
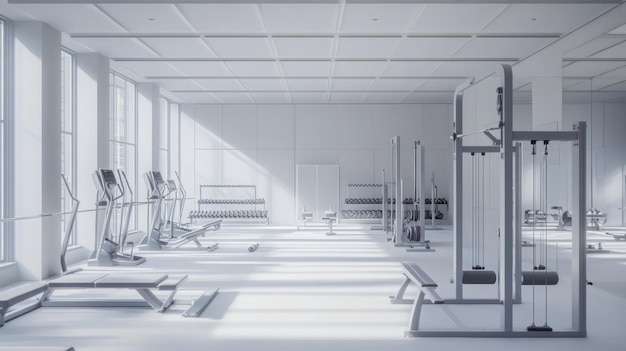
column 37, row 148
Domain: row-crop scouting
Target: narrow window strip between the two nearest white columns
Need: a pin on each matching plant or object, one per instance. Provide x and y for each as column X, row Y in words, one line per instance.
column 68, row 128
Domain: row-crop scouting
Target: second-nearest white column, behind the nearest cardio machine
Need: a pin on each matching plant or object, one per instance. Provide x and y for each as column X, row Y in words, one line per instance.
column 92, row 138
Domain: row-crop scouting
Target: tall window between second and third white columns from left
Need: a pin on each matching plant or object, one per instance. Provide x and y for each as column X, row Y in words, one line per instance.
column 123, row 138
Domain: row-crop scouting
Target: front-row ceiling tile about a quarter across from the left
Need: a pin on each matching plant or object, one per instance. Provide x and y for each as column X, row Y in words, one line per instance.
column 148, row 18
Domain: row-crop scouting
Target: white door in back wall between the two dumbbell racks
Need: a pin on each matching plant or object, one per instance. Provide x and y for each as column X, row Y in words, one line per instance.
column 317, row 189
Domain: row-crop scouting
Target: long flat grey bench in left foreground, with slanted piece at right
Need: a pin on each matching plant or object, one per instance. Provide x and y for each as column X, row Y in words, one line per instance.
column 144, row 284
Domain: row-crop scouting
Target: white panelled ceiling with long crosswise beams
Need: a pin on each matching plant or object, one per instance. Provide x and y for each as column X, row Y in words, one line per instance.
column 321, row 51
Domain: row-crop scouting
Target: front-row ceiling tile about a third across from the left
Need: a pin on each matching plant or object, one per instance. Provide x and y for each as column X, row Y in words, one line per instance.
column 223, row 18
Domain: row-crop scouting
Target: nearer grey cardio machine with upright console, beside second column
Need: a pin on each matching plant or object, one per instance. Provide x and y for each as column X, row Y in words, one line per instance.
column 108, row 251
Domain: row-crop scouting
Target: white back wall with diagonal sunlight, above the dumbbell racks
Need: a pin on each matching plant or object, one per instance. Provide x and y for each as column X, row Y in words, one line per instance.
column 262, row 144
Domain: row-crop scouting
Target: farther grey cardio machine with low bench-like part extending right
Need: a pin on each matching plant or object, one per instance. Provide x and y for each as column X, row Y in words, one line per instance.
column 158, row 190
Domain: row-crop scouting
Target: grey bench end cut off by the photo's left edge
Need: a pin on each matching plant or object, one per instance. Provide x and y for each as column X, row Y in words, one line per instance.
column 16, row 294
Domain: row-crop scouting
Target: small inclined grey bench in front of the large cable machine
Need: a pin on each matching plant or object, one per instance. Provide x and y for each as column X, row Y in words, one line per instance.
column 414, row 274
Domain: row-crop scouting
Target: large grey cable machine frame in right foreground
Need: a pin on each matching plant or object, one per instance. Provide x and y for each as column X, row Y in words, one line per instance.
column 509, row 274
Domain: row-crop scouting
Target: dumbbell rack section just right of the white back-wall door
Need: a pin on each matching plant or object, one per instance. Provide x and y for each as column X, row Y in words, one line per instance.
column 363, row 203
